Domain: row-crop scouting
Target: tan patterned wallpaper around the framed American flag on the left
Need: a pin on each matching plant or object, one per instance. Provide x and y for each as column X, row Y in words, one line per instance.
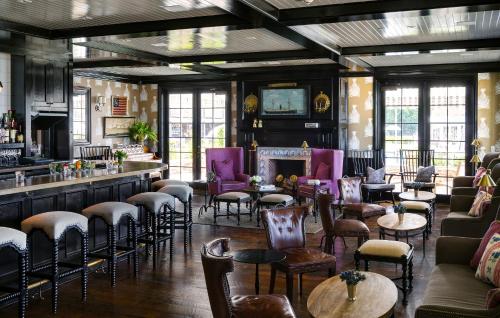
column 142, row 104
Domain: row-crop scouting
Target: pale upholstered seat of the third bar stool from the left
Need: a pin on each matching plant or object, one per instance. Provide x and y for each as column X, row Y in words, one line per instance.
column 111, row 212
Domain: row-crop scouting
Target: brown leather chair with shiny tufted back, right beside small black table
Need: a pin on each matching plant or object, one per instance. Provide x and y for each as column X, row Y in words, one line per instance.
column 285, row 232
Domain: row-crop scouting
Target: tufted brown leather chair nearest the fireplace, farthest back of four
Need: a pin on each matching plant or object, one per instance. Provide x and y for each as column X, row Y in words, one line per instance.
column 351, row 201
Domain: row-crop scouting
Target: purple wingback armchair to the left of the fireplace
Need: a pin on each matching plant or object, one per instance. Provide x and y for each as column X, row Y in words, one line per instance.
column 223, row 155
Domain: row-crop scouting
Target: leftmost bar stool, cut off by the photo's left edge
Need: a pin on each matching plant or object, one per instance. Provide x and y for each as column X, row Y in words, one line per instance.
column 16, row 240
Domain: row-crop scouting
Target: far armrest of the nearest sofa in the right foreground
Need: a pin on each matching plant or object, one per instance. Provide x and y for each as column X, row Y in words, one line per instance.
column 456, row 250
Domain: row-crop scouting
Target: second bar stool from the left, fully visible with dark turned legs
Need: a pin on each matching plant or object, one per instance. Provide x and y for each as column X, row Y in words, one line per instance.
column 54, row 225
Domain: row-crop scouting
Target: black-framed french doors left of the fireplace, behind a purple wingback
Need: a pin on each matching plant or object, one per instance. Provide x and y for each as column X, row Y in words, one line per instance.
column 197, row 120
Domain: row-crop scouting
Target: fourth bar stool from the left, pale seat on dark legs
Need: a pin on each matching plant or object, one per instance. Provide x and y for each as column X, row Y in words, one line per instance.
column 155, row 204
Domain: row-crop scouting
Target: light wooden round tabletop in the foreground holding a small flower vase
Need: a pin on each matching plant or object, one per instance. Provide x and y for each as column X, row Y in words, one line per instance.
column 376, row 297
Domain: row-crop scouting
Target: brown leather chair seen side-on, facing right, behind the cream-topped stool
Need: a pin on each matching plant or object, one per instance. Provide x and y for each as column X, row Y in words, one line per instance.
column 339, row 228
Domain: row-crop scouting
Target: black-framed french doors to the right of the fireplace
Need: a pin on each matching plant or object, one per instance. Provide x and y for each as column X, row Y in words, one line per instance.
column 435, row 115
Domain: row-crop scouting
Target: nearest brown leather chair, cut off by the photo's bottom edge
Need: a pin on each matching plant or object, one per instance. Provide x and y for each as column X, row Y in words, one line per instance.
column 216, row 266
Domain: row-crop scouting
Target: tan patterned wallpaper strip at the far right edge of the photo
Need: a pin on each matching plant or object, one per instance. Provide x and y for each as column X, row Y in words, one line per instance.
column 488, row 112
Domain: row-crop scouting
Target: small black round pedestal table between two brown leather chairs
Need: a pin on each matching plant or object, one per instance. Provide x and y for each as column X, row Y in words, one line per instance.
column 257, row 256
